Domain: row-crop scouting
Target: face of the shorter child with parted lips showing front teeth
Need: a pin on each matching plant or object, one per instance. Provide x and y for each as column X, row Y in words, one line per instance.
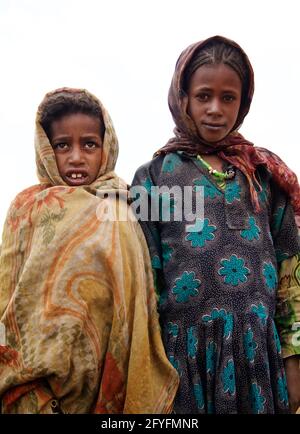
column 77, row 146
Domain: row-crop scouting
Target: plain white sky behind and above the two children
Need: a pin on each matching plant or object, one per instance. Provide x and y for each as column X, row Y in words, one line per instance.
column 124, row 51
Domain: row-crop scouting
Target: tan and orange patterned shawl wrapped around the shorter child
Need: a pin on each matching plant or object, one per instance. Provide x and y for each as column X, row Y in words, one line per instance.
column 79, row 330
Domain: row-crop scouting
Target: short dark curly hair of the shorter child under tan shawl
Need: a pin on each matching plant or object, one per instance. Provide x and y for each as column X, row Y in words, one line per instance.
column 67, row 101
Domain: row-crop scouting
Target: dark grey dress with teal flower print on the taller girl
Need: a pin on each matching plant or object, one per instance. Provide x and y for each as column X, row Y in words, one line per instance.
column 218, row 278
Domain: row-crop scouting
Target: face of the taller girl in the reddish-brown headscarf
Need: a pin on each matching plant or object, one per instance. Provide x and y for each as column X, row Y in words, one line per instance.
column 213, row 100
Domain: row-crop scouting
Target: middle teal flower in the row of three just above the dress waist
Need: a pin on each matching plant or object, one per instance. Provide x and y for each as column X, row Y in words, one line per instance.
column 234, row 270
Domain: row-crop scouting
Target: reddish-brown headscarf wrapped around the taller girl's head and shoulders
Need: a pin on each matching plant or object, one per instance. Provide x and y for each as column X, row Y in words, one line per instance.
column 234, row 148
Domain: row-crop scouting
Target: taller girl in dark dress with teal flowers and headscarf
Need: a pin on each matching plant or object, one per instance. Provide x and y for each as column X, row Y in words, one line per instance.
column 229, row 280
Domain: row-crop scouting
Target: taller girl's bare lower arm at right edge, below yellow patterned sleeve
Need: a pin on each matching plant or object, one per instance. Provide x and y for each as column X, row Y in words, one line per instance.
column 292, row 371
